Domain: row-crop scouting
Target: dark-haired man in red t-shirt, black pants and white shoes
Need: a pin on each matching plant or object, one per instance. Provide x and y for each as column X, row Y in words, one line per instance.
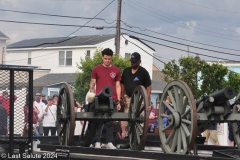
column 102, row 75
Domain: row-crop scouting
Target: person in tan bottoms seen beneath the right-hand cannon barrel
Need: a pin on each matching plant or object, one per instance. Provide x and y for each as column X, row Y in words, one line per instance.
column 211, row 133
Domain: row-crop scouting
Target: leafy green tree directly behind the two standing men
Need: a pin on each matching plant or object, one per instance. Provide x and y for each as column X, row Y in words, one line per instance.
column 81, row 85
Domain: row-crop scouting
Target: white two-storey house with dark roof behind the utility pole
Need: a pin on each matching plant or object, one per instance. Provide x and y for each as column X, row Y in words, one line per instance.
column 61, row 54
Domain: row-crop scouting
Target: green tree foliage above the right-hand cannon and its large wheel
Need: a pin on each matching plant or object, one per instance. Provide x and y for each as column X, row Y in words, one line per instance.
column 200, row 76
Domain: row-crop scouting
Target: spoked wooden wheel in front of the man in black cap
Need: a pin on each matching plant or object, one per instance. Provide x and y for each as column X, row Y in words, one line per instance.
column 138, row 125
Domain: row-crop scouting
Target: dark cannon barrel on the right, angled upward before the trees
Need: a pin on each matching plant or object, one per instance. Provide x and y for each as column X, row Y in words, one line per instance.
column 220, row 96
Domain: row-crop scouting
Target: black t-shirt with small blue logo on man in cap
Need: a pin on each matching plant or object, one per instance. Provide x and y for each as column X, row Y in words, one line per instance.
column 130, row 81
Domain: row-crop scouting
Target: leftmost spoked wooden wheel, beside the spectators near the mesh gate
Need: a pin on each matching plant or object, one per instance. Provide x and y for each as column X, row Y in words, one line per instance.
column 66, row 116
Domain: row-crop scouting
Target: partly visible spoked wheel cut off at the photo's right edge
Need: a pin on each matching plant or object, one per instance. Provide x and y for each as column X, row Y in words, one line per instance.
column 236, row 126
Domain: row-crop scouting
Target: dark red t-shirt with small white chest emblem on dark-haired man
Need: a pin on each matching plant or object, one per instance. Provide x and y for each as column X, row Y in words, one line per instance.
column 106, row 76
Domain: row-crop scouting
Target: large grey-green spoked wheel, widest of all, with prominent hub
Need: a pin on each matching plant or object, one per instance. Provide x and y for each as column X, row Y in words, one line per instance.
column 181, row 116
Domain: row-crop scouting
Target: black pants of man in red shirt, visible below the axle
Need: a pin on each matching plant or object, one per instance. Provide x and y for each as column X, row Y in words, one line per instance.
column 109, row 132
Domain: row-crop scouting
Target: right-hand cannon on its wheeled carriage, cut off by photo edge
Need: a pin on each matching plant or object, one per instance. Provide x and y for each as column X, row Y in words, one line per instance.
column 188, row 118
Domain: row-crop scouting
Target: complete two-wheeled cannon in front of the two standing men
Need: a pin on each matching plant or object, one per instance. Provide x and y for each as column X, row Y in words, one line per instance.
column 99, row 111
